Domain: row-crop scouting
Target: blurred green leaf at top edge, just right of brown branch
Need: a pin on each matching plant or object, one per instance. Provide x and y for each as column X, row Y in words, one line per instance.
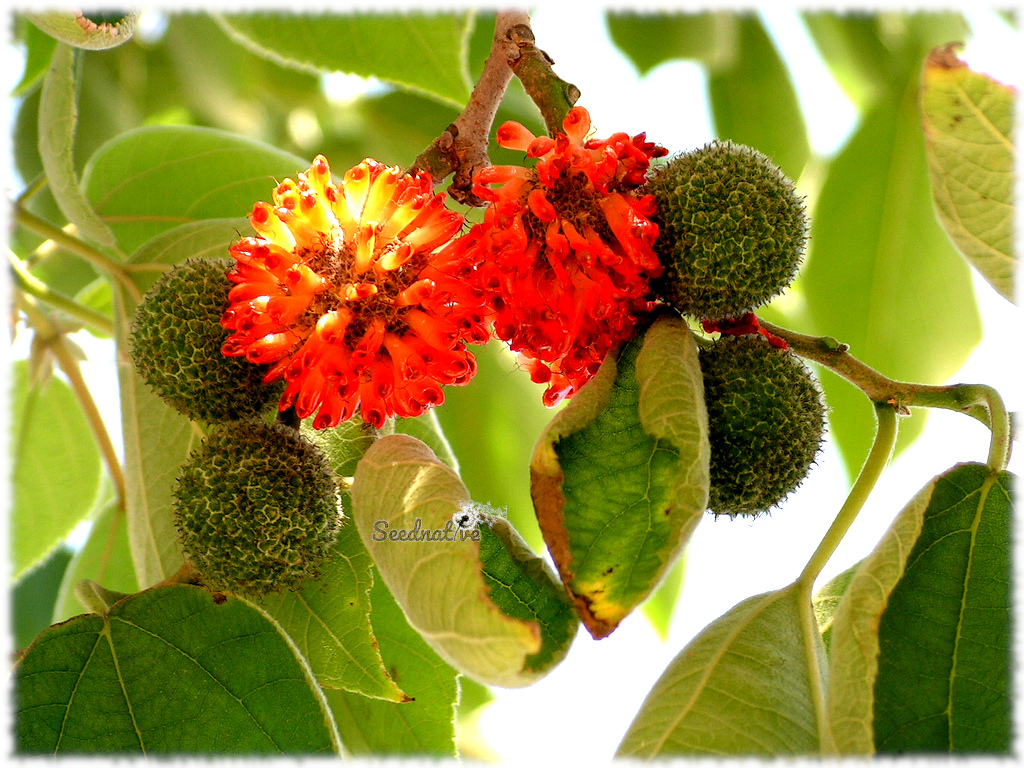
column 651, row 39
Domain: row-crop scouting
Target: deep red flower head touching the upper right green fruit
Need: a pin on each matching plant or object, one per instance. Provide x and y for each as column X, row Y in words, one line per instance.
column 571, row 244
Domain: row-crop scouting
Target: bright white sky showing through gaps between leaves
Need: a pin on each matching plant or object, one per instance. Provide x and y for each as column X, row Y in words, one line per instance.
column 581, row 711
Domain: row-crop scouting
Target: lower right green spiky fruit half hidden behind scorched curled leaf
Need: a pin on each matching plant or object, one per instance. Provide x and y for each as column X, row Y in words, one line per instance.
column 766, row 419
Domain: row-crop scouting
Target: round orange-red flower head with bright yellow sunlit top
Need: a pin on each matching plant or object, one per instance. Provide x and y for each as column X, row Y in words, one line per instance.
column 346, row 292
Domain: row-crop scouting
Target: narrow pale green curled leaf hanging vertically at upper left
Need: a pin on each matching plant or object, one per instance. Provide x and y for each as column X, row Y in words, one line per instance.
column 58, row 120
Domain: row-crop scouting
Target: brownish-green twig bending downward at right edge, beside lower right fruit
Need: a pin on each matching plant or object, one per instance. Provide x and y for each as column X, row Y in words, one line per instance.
column 977, row 401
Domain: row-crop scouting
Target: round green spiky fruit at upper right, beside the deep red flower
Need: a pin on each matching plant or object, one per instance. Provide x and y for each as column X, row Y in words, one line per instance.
column 733, row 231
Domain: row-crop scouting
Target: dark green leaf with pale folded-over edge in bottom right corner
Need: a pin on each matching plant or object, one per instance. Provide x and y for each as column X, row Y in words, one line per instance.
column 921, row 642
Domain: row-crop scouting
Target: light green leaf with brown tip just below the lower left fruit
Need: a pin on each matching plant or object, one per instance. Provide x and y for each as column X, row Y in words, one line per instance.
column 329, row 621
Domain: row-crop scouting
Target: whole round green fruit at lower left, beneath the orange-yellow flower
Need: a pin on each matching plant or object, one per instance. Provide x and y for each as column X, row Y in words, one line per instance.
column 257, row 508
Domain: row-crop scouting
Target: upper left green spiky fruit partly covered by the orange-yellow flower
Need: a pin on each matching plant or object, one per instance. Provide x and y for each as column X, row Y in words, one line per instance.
column 176, row 343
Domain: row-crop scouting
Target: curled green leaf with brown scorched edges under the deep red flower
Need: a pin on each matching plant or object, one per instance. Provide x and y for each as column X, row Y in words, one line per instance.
column 620, row 478
